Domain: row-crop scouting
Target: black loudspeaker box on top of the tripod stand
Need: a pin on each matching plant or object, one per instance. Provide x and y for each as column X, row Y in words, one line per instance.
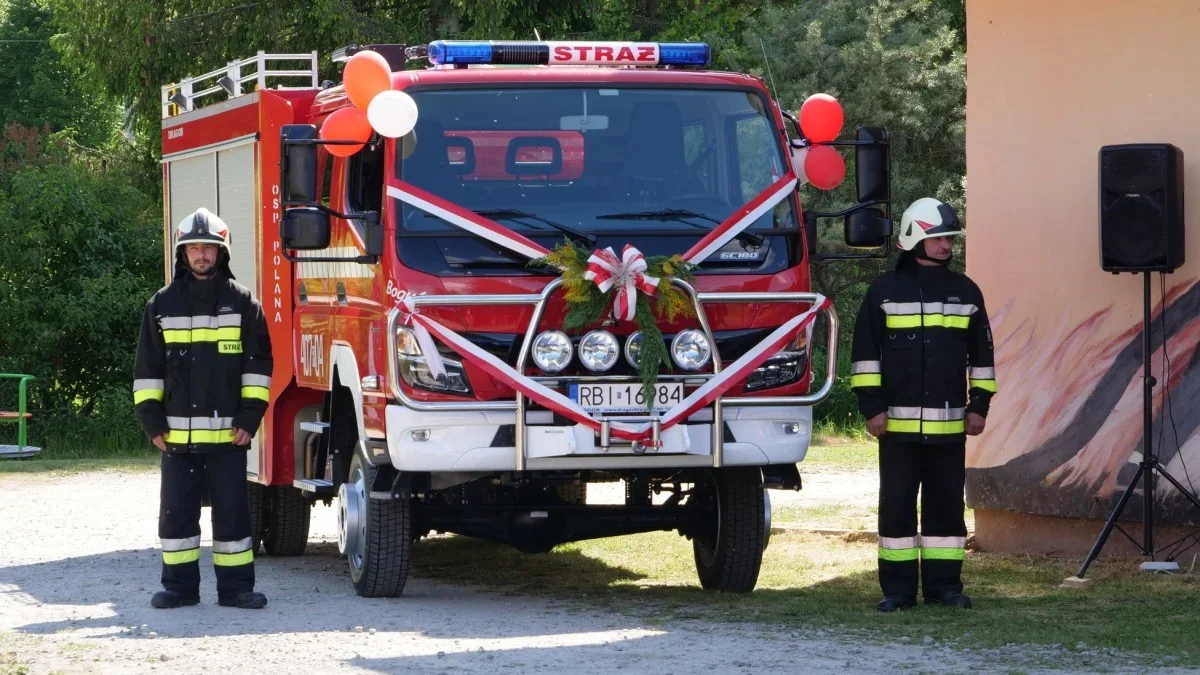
column 1142, row 208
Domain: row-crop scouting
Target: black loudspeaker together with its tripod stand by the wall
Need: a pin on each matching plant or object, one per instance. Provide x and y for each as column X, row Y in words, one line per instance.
column 1142, row 231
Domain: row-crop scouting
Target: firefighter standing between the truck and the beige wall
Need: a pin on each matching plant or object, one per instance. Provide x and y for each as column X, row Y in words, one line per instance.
column 923, row 374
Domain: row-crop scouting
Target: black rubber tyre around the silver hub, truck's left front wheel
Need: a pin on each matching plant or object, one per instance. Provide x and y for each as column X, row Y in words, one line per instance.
column 382, row 569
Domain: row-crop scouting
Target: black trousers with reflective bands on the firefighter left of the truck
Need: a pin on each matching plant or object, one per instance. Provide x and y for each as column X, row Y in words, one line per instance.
column 179, row 522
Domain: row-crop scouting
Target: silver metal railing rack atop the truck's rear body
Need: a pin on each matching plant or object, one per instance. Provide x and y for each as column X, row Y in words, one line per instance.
column 182, row 97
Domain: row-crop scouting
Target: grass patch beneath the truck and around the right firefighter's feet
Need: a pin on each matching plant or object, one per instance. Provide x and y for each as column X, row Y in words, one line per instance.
column 820, row 582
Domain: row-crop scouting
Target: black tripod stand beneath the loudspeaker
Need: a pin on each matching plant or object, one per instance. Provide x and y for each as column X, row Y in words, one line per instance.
column 1149, row 464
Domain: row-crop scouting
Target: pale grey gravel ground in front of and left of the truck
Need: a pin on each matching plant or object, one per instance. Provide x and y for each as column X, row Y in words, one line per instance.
column 80, row 563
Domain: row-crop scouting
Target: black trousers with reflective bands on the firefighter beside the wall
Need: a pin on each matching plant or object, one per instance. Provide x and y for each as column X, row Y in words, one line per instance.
column 939, row 473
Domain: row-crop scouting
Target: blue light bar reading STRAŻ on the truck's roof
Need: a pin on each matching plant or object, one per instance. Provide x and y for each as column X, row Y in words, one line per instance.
column 495, row 52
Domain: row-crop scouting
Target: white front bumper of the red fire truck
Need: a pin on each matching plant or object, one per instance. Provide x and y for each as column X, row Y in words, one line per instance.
column 485, row 441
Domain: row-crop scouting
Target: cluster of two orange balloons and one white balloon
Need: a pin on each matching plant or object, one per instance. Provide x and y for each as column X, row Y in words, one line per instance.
column 368, row 81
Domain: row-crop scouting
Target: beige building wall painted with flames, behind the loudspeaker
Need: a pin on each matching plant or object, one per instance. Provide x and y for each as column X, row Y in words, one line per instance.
column 1049, row 82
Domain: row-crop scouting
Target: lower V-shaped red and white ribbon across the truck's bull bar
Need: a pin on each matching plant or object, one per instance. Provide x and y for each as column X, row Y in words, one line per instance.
column 556, row 402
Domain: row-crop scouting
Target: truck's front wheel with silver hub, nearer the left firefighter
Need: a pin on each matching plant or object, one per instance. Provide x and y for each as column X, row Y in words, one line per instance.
column 376, row 536
